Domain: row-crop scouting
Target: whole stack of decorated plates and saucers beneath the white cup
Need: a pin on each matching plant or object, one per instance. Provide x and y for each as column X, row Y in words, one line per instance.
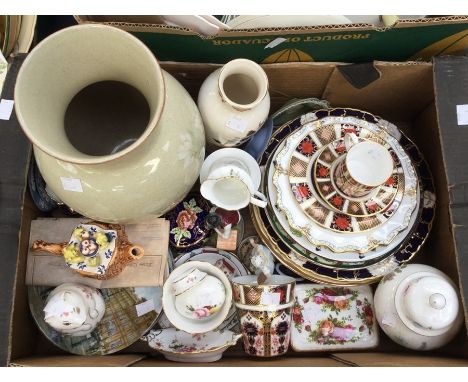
column 321, row 234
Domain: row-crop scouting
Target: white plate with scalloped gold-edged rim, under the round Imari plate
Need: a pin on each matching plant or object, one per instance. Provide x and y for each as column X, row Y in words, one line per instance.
column 338, row 241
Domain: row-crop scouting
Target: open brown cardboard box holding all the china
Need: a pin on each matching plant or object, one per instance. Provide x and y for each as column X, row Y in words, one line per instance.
column 403, row 93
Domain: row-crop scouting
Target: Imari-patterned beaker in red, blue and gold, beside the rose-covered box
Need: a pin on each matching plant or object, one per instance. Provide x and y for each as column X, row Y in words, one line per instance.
column 264, row 313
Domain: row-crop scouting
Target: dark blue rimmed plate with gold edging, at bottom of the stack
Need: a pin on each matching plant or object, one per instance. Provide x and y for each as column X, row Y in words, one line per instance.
column 408, row 246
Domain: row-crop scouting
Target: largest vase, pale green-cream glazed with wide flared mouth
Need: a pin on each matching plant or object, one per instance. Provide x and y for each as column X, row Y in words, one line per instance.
column 127, row 179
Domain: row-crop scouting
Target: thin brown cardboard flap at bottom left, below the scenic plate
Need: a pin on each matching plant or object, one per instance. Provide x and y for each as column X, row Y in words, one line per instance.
column 119, row 360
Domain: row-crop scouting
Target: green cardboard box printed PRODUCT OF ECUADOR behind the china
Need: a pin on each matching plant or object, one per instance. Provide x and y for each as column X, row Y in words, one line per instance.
column 405, row 40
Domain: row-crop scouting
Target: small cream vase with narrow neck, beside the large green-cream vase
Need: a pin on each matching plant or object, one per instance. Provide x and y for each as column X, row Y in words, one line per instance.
column 234, row 102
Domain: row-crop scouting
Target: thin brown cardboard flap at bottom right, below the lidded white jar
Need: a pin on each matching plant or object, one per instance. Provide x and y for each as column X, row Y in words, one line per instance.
column 404, row 360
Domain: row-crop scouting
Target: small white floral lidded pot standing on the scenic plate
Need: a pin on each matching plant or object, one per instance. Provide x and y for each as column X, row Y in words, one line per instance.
column 74, row 309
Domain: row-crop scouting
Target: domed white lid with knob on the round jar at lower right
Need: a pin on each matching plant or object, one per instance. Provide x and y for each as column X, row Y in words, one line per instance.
column 427, row 303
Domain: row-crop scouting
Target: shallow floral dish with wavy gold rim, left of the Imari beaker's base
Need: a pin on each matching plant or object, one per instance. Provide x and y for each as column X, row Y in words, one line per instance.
column 179, row 346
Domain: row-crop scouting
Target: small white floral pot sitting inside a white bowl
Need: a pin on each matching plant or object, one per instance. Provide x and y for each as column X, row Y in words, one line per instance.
column 198, row 295
